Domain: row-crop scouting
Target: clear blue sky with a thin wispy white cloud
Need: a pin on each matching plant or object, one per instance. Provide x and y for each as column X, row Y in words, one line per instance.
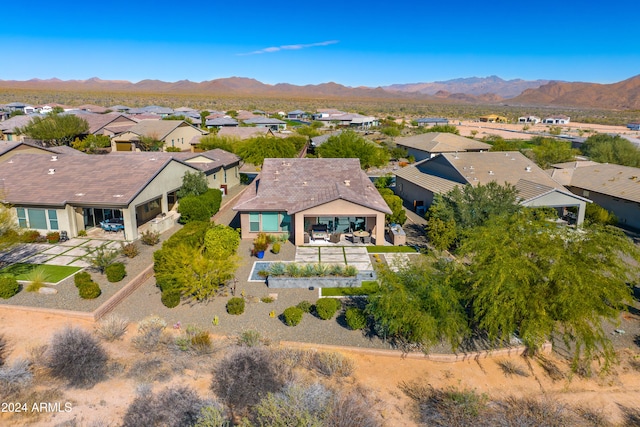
column 371, row 43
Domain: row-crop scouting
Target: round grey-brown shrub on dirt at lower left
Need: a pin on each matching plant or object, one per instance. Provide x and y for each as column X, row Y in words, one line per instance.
column 77, row 357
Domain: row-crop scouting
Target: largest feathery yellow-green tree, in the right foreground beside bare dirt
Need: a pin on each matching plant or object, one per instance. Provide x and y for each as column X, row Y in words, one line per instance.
column 528, row 277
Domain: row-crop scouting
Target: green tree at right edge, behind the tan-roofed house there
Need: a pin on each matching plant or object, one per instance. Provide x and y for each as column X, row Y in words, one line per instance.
column 605, row 148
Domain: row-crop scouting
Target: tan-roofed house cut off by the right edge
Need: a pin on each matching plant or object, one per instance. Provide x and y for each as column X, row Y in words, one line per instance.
column 616, row 188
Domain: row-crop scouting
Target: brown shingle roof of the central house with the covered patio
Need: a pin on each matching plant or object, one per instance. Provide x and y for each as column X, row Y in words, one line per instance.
column 293, row 185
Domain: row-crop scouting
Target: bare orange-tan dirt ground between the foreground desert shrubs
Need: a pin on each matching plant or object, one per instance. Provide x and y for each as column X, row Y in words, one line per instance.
column 107, row 401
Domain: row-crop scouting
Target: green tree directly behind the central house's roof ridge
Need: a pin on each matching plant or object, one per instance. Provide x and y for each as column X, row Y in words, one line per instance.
column 349, row 144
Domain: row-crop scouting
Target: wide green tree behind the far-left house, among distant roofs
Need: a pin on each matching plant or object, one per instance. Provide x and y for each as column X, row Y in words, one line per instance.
column 55, row 129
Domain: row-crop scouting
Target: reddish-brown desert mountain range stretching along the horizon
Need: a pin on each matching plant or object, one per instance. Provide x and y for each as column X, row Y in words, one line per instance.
column 624, row 95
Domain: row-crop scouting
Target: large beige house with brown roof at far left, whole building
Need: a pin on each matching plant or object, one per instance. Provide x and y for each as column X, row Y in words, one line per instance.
column 74, row 193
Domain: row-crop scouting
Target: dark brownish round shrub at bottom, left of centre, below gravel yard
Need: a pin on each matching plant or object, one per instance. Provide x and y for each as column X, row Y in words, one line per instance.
column 244, row 375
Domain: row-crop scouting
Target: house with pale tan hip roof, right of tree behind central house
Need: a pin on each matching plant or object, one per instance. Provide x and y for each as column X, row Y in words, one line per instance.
column 430, row 144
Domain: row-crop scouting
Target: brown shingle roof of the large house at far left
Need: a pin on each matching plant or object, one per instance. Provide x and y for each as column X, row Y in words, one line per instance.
column 112, row 180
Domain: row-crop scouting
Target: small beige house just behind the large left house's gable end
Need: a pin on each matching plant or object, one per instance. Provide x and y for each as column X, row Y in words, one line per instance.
column 221, row 168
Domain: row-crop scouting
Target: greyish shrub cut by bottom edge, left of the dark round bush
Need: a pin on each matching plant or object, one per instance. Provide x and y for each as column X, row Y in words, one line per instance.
column 172, row 407
